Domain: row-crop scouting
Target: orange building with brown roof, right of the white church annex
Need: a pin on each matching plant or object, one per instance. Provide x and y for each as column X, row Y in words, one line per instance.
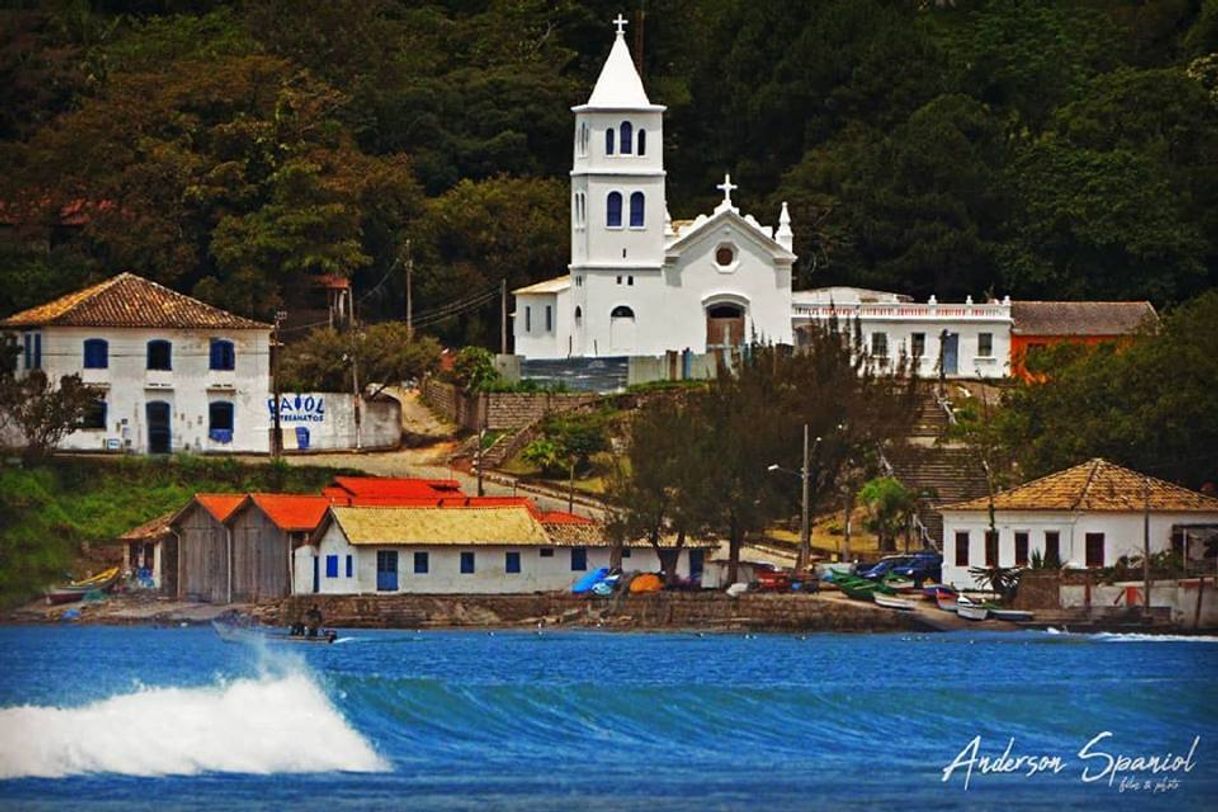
column 1036, row 326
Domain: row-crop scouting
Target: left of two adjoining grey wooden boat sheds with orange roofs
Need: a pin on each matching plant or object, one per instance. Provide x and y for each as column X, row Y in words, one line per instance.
column 205, row 547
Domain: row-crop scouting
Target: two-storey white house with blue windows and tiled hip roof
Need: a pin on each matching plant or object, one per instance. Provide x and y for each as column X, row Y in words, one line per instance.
column 172, row 374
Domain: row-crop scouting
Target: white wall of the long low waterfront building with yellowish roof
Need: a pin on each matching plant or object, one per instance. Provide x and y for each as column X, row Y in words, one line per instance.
column 538, row 573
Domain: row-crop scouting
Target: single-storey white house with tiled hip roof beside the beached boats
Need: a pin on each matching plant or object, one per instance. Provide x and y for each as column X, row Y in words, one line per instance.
column 1086, row 517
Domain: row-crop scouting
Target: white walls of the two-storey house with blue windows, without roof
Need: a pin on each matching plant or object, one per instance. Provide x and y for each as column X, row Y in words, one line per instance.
column 128, row 385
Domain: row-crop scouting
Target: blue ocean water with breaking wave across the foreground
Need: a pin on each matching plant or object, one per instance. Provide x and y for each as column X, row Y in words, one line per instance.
column 176, row 719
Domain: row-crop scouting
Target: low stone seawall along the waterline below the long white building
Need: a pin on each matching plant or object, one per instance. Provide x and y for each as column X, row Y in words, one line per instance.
column 711, row 611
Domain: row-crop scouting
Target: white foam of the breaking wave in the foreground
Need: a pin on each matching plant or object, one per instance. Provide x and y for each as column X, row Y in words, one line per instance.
column 281, row 724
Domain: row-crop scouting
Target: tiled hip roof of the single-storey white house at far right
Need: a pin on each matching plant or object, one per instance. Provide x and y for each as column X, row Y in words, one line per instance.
column 1097, row 485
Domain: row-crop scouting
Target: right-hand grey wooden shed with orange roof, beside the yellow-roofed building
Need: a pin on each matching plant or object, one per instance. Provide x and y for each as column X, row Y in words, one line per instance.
column 266, row 528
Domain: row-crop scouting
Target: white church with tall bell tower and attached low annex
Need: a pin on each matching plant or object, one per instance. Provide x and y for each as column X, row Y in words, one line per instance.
column 641, row 284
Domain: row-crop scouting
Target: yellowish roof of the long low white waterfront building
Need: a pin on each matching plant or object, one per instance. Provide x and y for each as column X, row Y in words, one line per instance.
column 455, row 527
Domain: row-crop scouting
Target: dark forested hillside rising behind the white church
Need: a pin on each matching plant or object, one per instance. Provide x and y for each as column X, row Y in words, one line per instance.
column 234, row 150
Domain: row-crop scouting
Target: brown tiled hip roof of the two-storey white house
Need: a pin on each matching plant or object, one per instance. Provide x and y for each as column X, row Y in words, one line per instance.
column 130, row 301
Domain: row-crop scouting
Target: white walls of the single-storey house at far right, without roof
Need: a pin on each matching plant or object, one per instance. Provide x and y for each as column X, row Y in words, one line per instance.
column 1122, row 536
